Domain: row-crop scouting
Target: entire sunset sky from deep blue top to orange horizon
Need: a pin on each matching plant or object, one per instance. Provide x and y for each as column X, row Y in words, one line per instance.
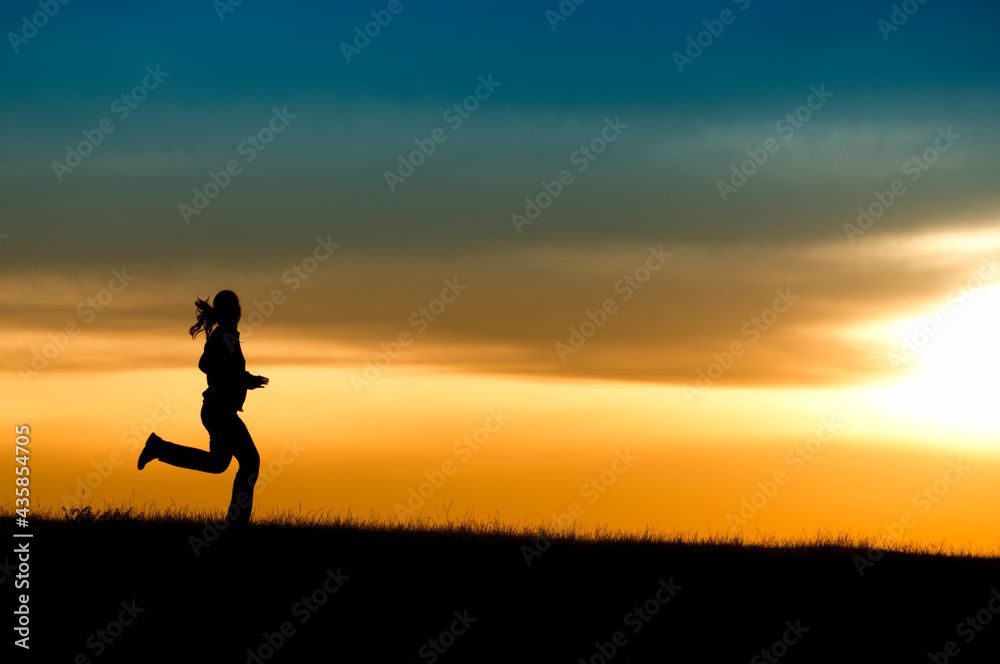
column 570, row 259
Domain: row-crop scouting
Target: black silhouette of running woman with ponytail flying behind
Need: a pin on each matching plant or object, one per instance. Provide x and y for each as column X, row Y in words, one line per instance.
column 228, row 382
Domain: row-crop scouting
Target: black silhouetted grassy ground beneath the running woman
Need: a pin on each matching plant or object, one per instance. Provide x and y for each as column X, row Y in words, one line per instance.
column 133, row 591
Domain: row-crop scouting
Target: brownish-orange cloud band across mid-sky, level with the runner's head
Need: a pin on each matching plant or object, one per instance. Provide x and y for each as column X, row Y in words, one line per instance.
column 517, row 305
